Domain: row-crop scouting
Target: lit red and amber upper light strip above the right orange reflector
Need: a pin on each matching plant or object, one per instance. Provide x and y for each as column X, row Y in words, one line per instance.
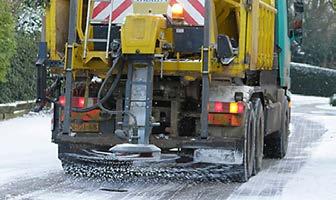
column 223, row 107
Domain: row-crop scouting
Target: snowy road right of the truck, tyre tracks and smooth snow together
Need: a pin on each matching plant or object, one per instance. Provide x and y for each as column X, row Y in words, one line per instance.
column 309, row 169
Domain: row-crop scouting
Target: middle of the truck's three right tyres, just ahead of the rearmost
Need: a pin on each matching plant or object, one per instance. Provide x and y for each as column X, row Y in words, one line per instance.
column 259, row 138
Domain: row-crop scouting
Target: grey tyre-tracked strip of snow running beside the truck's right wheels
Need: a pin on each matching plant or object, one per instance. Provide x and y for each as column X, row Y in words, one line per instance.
column 270, row 181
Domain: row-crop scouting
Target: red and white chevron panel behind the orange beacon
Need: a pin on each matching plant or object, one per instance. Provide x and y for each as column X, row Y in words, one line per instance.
column 194, row 11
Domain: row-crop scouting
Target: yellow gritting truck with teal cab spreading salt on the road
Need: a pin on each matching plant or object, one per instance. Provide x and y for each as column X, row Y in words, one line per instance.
column 184, row 82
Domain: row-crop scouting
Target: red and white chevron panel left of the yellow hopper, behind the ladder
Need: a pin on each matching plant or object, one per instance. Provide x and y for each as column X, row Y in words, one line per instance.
column 121, row 8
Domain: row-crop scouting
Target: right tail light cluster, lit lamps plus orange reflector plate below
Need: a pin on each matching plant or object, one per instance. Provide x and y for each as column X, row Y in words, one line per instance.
column 226, row 114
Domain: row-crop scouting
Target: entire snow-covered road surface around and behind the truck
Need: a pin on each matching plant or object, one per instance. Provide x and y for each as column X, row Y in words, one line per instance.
column 29, row 168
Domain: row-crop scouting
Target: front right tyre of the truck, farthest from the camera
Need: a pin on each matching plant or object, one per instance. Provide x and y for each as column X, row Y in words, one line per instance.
column 276, row 144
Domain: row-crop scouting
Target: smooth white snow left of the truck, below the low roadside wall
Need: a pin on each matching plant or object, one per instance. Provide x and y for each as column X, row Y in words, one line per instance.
column 25, row 148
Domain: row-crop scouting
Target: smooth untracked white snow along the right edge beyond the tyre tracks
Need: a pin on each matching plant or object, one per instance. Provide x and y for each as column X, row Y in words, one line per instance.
column 317, row 178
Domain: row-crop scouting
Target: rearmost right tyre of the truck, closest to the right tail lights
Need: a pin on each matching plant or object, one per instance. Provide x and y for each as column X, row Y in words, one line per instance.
column 249, row 146
